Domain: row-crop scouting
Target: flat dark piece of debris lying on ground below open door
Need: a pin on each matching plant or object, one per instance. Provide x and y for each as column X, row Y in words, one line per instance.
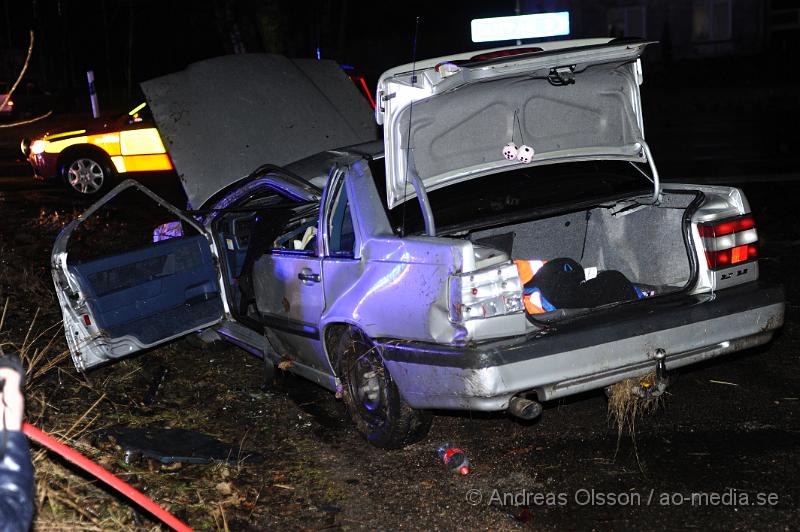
column 175, row 445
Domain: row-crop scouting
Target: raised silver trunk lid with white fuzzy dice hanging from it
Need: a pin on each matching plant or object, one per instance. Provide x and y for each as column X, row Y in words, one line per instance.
column 449, row 119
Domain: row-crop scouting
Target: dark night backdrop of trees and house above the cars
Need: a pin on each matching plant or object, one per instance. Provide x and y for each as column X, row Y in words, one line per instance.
column 128, row 41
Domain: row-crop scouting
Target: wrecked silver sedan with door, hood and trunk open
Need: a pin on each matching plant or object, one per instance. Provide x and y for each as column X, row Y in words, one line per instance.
column 437, row 269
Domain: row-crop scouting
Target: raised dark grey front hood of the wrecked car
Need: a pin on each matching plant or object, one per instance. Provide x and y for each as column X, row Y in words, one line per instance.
column 222, row 118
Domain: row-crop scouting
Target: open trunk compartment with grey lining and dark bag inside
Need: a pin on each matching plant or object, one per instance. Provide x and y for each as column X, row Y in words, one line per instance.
column 647, row 245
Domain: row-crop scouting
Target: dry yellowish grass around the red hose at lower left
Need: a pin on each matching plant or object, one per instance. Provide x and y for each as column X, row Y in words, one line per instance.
column 72, row 408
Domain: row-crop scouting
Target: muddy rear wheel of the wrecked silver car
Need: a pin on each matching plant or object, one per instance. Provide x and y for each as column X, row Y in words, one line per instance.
column 373, row 401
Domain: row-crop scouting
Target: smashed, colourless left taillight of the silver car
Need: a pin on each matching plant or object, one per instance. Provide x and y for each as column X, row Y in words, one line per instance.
column 493, row 291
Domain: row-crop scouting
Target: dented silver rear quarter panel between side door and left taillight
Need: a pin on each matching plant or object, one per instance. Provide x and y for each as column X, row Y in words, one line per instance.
column 371, row 287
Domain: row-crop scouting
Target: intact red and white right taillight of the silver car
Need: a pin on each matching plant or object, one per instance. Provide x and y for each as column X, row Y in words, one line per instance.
column 729, row 242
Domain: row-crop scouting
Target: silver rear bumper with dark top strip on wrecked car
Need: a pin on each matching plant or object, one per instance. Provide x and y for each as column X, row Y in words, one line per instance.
column 588, row 353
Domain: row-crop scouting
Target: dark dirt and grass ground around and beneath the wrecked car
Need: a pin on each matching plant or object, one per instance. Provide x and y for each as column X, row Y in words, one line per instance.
column 729, row 429
